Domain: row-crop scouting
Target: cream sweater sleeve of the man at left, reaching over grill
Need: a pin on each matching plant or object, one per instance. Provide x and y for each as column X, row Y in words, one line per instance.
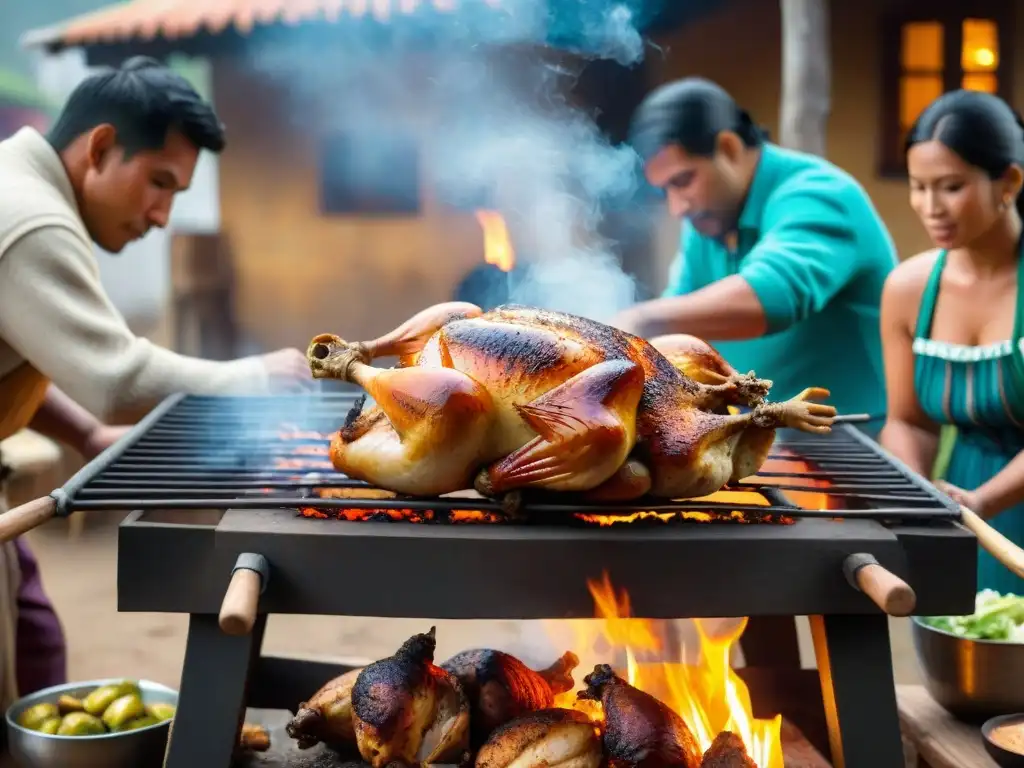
column 55, row 313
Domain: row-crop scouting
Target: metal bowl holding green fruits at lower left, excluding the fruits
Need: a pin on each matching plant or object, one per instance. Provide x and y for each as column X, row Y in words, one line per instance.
column 136, row 749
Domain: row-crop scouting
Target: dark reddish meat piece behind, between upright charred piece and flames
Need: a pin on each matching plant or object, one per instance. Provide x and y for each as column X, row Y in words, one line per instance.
column 500, row 688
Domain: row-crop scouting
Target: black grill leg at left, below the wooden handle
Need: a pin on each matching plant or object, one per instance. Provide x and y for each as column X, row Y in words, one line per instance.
column 212, row 697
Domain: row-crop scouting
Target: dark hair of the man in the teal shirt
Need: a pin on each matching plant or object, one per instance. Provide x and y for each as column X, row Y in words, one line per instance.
column 691, row 113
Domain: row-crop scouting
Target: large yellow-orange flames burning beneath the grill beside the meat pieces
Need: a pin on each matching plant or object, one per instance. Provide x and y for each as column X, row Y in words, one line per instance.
column 710, row 697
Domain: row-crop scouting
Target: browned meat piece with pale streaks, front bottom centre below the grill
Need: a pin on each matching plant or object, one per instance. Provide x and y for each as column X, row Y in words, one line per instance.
column 547, row 739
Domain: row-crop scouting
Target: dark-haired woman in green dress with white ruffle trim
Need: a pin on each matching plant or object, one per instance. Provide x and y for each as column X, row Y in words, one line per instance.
column 952, row 318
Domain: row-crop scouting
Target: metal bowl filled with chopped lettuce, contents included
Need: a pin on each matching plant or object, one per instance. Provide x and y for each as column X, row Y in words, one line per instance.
column 974, row 665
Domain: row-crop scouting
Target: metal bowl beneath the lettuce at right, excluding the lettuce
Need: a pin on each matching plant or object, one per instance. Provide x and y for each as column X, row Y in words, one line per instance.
column 974, row 680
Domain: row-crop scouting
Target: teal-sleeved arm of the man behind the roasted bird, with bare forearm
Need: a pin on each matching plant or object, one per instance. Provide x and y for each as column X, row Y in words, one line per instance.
column 807, row 254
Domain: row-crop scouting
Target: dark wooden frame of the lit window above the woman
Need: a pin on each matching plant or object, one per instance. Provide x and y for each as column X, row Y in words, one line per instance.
column 891, row 163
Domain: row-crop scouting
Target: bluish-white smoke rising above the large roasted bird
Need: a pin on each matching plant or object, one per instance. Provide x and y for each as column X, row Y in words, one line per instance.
column 486, row 99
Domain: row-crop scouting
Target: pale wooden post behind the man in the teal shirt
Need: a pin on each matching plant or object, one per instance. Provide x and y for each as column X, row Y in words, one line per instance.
column 806, row 75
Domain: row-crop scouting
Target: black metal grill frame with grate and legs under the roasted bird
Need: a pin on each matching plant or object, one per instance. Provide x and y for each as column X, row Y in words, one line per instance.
column 175, row 558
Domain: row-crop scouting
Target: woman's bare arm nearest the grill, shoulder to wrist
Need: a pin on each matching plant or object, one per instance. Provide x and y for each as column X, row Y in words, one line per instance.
column 909, row 434
